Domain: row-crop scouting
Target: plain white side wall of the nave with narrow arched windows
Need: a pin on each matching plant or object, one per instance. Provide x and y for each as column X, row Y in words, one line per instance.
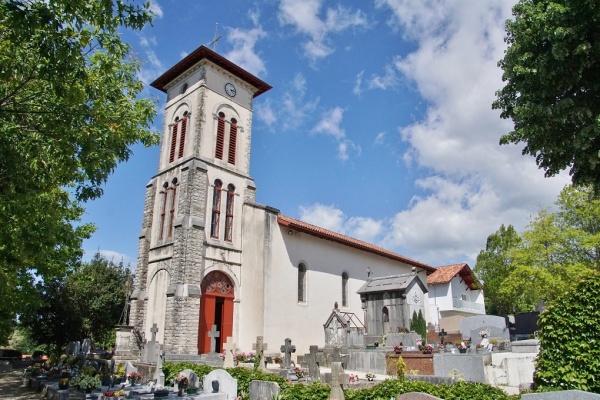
column 325, row 262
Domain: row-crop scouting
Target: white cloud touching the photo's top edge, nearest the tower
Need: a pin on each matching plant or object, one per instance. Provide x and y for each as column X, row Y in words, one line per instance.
column 304, row 16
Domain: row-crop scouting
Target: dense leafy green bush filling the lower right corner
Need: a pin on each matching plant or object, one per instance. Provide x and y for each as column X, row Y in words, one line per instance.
column 569, row 356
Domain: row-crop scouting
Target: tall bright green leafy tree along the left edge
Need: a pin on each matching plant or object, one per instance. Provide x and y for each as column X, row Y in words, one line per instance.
column 69, row 113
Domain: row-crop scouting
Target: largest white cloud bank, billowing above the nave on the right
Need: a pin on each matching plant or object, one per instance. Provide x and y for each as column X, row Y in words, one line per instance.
column 469, row 184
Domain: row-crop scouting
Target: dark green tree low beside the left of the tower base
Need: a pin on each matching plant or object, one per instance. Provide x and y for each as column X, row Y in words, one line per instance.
column 87, row 303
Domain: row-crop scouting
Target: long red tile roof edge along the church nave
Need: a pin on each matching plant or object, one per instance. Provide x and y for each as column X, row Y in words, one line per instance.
column 322, row 233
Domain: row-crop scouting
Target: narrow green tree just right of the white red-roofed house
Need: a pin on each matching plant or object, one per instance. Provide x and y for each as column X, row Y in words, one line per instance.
column 493, row 266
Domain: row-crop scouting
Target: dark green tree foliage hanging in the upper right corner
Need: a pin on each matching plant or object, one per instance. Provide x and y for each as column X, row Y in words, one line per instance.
column 552, row 91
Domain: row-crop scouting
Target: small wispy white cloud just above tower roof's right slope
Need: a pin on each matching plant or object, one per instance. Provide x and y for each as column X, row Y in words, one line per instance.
column 243, row 42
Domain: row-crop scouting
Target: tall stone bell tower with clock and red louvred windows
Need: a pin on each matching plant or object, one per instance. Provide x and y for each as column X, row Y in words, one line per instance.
column 189, row 255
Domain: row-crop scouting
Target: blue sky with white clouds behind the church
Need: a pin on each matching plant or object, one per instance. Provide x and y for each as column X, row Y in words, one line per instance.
column 379, row 124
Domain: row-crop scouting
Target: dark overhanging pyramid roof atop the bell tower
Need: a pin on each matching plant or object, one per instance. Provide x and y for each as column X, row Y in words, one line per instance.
column 200, row 54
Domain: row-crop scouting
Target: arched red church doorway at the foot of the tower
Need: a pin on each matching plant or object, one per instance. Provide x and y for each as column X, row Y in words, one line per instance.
column 216, row 312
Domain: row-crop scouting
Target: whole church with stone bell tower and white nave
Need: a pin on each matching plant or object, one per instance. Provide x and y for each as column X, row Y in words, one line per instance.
column 212, row 262
